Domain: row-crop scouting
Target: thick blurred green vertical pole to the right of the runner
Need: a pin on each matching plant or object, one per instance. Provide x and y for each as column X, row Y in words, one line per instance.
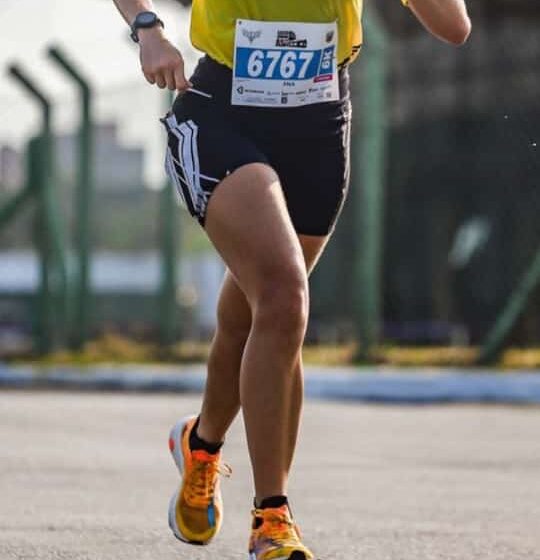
column 369, row 164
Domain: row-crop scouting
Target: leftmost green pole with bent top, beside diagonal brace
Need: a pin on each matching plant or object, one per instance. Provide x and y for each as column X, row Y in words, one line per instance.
column 49, row 236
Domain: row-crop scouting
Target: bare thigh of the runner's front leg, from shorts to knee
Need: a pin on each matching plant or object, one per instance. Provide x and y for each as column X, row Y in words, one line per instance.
column 248, row 222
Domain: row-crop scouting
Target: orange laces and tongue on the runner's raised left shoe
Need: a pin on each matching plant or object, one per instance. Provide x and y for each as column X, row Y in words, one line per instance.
column 205, row 470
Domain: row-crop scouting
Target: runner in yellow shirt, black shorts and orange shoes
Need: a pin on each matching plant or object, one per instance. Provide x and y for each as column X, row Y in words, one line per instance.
column 258, row 149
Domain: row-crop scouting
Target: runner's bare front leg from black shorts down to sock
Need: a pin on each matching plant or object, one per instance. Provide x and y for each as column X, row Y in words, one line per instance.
column 248, row 222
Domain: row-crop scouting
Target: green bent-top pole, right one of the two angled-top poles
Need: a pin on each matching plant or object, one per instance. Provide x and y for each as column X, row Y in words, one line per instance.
column 79, row 322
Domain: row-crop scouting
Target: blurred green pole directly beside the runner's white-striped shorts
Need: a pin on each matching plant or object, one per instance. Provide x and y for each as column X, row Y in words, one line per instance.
column 169, row 250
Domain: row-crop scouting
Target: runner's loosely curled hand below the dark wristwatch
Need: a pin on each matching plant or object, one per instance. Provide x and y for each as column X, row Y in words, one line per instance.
column 161, row 62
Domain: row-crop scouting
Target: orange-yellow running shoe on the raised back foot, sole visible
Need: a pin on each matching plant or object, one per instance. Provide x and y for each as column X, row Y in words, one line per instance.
column 196, row 509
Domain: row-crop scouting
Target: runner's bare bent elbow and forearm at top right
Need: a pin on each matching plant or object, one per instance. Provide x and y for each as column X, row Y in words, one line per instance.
column 446, row 19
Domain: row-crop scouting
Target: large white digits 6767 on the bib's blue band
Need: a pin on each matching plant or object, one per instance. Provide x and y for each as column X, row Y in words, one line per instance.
column 283, row 65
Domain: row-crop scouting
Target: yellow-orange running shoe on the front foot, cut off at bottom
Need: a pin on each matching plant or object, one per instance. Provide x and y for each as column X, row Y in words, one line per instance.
column 274, row 536
